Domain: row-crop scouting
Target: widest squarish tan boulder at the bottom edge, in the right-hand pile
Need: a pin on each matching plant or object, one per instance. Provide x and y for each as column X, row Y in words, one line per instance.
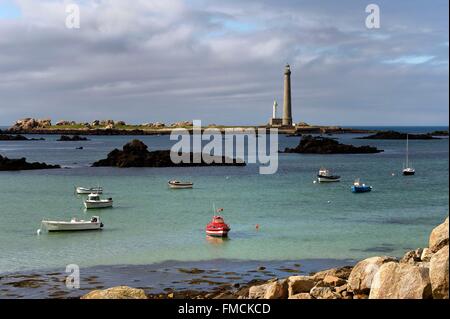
column 401, row 281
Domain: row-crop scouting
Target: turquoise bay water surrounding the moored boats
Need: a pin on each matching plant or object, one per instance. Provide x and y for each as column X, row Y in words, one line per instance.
column 150, row 223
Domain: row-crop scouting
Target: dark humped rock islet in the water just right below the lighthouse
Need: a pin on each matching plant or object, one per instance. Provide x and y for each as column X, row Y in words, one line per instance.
column 321, row 145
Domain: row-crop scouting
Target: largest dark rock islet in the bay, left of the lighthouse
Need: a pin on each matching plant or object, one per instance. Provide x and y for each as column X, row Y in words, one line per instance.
column 136, row 154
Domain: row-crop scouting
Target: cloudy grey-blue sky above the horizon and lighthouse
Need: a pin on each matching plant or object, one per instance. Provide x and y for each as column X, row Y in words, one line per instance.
column 222, row 62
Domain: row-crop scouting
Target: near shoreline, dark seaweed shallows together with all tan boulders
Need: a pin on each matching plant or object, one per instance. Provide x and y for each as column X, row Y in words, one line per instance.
column 420, row 274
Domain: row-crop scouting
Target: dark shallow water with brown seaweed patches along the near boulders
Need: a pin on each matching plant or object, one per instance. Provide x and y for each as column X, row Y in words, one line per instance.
column 187, row 278
